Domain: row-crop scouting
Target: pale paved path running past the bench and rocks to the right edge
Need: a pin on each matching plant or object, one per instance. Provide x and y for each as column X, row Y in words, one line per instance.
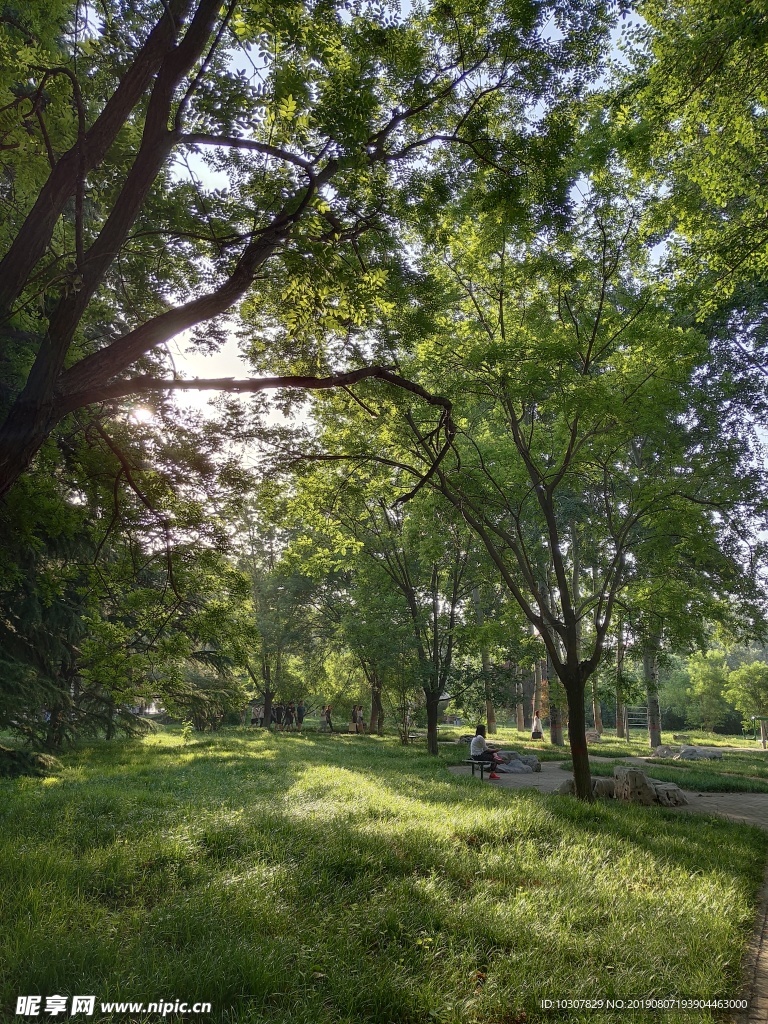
column 751, row 808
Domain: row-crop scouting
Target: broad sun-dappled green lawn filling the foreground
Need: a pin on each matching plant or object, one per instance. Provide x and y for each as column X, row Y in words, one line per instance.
column 346, row 879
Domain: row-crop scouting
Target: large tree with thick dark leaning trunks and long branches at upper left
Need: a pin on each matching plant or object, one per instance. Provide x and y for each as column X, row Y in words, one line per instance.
column 114, row 245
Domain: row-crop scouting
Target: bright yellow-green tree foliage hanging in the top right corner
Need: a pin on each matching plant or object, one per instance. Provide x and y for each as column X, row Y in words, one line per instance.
column 690, row 116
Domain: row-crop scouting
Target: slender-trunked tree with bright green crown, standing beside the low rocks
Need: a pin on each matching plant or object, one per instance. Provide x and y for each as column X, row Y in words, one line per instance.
column 576, row 439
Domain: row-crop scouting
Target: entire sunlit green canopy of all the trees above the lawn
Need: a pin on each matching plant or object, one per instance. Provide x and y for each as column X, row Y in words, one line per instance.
column 527, row 289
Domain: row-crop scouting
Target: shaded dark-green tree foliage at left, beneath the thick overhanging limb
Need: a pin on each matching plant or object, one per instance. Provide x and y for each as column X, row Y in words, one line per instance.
column 114, row 579
